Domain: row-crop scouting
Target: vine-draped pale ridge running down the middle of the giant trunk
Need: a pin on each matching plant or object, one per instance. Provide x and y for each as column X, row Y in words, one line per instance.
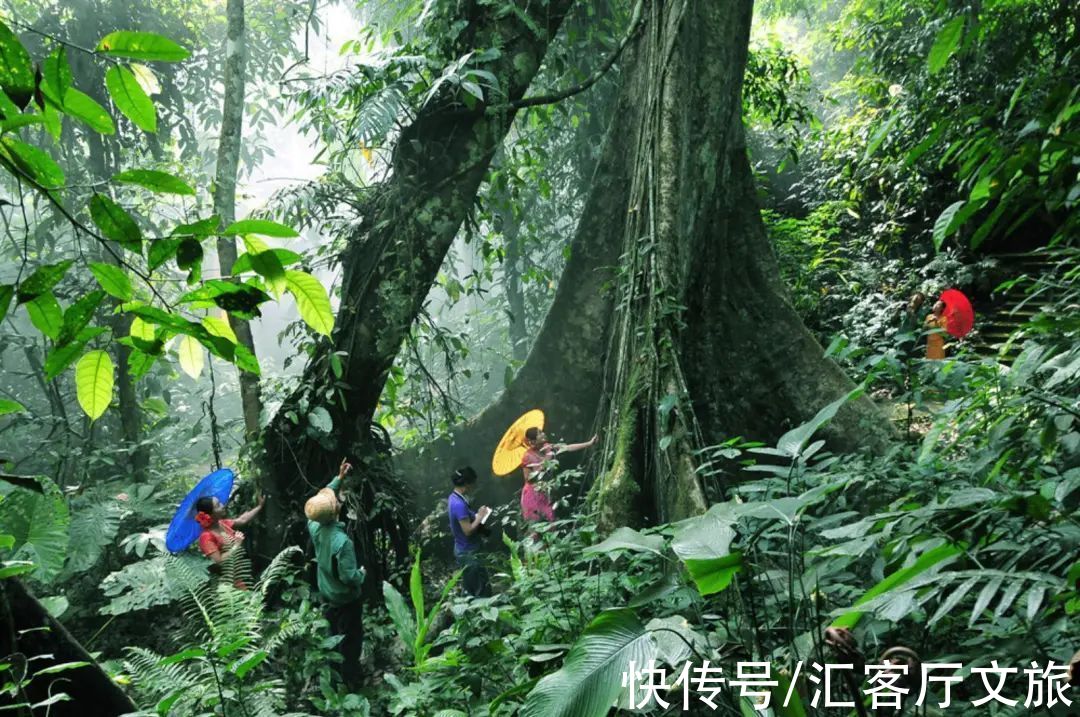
column 652, row 430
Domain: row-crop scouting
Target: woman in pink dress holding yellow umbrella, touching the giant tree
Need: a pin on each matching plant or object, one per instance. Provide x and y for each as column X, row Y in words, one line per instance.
column 525, row 445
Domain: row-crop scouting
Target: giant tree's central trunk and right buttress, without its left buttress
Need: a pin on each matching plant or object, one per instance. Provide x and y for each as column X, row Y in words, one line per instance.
column 708, row 345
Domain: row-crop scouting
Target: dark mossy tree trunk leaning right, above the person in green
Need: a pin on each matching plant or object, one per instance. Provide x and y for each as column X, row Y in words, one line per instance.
column 391, row 262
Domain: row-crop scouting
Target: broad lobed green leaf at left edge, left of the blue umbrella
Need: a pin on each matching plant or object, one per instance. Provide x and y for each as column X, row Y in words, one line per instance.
column 39, row 523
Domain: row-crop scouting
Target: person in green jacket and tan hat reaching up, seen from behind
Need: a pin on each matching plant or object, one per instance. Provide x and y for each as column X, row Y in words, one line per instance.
column 340, row 577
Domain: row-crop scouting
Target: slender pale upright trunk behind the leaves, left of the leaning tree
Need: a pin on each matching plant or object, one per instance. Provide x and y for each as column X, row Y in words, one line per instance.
column 225, row 193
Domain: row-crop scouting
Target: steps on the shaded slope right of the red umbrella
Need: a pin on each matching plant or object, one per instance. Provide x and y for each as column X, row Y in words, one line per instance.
column 1014, row 307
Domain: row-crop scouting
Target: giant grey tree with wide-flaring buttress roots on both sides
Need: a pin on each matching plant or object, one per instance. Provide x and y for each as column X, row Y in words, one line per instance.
column 704, row 344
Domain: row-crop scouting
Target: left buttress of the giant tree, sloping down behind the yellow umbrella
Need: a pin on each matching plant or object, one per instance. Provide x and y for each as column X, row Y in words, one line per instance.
column 564, row 371
